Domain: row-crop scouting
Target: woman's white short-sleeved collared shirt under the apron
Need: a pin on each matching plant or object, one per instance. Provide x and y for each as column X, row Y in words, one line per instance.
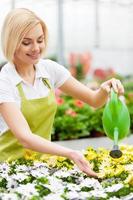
column 9, row 78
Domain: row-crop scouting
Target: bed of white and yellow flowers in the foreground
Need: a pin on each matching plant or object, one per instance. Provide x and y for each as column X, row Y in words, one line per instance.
column 54, row 177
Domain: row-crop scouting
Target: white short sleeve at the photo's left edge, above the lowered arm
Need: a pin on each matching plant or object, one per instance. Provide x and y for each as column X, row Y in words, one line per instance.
column 6, row 91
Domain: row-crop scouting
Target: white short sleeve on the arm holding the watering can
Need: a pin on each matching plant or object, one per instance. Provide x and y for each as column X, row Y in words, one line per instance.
column 58, row 73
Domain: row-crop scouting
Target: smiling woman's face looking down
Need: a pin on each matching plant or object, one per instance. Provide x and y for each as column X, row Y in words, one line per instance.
column 32, row 46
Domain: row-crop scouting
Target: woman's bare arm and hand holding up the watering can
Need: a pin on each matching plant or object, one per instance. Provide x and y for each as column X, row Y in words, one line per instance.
column 96, row 98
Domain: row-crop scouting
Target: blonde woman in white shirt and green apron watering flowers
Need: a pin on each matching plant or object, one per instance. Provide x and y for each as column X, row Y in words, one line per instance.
column 27, row 82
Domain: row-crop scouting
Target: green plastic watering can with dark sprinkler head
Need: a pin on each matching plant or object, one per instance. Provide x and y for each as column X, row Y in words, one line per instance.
column 116, row 122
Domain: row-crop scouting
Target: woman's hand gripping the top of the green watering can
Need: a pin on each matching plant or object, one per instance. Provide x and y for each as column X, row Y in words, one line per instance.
column 113, row 83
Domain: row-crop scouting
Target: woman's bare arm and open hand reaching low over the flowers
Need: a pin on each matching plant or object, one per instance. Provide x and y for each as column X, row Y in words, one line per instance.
column 20, row 128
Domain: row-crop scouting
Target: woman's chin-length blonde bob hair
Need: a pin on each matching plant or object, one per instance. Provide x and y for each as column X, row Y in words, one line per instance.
column 17, row 23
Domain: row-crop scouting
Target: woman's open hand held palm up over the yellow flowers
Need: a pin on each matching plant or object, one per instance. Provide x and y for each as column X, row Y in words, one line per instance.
column 82, row 163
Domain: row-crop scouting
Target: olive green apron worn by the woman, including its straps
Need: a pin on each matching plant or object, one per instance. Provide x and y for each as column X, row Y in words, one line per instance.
column 39, row 114
